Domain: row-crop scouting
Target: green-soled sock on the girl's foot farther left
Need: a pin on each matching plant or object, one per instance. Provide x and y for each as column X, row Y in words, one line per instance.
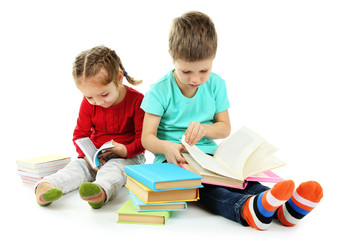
column 47, row 193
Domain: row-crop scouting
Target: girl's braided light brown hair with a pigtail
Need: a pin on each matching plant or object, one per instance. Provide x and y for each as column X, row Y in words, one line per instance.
column 90, row 62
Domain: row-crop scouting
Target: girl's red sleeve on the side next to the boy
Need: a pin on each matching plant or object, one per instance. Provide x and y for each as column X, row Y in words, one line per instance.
column 135, row 148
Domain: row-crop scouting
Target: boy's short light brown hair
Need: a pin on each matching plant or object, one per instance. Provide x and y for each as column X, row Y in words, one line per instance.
column 193, row 37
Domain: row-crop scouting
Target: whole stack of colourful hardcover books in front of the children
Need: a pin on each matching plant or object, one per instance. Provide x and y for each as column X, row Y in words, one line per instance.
column 155, row 191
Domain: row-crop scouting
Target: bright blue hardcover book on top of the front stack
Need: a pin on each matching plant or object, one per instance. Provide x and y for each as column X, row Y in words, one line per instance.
column 163, row 176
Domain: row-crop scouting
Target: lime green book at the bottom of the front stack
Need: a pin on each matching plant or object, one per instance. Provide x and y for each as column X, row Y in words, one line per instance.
column 128, row 214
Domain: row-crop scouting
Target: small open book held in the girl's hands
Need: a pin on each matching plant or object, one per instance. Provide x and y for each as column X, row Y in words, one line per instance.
column 90, row 150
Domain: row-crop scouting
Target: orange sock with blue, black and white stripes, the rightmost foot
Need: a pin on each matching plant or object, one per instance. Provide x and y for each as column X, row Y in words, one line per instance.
column 303, row 201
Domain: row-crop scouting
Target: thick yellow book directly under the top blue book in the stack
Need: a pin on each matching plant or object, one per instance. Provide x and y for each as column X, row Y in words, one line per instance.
column 148, row 196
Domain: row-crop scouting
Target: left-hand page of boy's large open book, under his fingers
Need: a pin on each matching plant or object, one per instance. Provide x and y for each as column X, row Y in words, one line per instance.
column 206, row 161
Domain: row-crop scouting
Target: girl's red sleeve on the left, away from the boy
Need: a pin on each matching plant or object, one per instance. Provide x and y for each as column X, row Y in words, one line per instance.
column 84, row 125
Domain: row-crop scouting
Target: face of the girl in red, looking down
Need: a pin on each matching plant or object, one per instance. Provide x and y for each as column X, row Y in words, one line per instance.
column 98, row 94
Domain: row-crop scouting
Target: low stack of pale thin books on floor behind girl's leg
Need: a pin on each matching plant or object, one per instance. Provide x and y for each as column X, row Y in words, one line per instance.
column 33, row 169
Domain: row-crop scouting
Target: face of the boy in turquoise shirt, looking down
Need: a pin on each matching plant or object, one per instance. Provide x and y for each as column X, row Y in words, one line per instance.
column 191, row 75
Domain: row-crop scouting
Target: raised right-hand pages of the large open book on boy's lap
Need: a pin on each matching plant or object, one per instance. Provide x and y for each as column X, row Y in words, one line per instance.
column 234, row 151
